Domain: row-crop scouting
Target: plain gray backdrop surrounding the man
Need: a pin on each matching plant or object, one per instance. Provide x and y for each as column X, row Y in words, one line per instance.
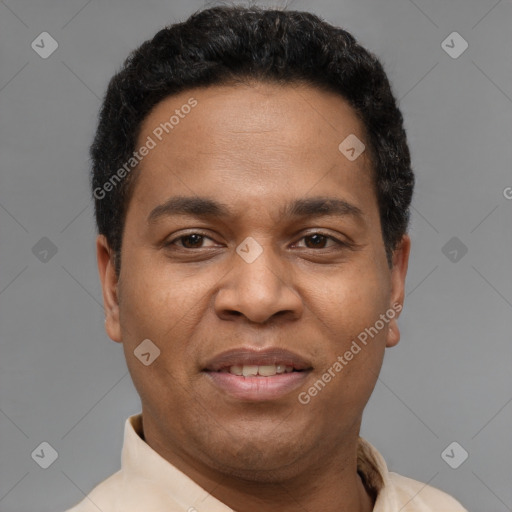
column 64, row 382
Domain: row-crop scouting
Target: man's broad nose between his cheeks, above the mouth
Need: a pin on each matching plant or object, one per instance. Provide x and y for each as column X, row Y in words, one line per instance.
column 260, row 291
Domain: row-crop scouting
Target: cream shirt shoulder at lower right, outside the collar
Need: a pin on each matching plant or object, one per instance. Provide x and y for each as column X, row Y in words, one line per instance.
column 417, row 496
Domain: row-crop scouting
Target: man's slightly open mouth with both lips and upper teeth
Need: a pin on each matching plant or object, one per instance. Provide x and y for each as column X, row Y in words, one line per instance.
column 257, row 375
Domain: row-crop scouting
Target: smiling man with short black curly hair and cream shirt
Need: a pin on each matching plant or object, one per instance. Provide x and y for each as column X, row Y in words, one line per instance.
column 252, row 183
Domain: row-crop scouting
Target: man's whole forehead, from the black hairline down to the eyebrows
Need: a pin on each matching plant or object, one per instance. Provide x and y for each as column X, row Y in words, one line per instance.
column 256, row 142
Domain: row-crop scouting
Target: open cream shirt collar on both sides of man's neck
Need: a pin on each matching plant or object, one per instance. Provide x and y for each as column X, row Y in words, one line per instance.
column 140, row 460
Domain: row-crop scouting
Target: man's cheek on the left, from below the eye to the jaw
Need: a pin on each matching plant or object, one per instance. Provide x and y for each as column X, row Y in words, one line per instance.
column 157, row 307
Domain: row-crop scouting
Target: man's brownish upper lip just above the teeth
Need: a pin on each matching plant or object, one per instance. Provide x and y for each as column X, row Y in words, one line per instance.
column 257, row 357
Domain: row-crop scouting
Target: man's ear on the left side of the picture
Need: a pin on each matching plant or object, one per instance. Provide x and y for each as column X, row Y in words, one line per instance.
column 109, row 285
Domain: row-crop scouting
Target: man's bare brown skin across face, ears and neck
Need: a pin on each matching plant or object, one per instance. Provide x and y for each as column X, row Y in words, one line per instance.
column 262, row 145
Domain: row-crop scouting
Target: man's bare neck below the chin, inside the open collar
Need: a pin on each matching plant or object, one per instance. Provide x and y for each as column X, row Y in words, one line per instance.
column 329, row 482
